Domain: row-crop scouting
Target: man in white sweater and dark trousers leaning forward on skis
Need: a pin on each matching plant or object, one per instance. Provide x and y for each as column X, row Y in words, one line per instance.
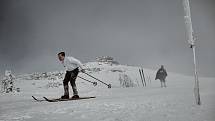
column 72, row 66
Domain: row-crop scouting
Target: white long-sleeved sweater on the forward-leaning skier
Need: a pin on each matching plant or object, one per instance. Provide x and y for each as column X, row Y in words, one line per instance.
column 71, row 63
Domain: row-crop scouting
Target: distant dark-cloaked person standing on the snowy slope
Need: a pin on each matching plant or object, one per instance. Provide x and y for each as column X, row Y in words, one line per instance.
column 161, row 75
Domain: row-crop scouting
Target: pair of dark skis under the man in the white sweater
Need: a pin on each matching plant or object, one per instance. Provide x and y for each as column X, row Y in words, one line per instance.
column 59, row 99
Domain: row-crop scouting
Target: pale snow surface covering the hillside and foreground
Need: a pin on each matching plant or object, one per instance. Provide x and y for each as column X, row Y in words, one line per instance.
column 150, row 103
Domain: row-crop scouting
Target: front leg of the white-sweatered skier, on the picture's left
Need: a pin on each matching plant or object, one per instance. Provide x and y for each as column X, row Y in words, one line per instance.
column 65, row 84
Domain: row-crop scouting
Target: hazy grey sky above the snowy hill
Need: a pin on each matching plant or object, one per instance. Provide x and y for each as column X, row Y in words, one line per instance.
column 136, row 32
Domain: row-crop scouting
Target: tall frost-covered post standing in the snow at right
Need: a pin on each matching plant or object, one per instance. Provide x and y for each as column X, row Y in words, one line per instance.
column 192, row 42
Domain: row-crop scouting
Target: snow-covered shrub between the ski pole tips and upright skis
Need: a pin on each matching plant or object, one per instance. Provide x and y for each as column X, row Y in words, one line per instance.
column 125, row 81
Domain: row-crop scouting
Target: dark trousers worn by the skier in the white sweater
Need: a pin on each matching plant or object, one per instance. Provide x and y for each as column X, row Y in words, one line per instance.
column 70, row 77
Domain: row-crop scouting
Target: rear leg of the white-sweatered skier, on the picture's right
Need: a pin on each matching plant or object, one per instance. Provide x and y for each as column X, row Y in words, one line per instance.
column 72, row 82
